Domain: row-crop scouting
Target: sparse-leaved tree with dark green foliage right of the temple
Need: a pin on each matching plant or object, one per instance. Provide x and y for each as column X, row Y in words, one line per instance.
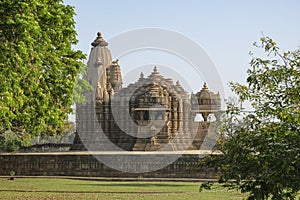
column 262, row 151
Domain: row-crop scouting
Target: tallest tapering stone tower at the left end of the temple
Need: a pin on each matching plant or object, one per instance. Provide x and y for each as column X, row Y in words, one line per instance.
column 86, row 120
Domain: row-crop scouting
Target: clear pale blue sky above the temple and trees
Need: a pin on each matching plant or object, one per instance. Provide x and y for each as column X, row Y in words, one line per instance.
column 225, row 30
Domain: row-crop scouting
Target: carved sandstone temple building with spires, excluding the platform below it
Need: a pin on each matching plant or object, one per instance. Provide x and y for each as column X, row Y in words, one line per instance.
column 154, row 113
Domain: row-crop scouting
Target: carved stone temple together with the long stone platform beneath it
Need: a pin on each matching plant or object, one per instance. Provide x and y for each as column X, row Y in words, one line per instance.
column 148, row 129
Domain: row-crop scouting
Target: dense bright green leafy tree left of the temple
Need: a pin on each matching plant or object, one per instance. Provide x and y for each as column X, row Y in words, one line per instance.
column 38, row 66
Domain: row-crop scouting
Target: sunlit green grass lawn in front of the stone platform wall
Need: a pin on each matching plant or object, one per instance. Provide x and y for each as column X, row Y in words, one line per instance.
column 47, row 188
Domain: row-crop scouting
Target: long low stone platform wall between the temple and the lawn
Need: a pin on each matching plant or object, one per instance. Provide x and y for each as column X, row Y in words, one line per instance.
column 87, row 164
